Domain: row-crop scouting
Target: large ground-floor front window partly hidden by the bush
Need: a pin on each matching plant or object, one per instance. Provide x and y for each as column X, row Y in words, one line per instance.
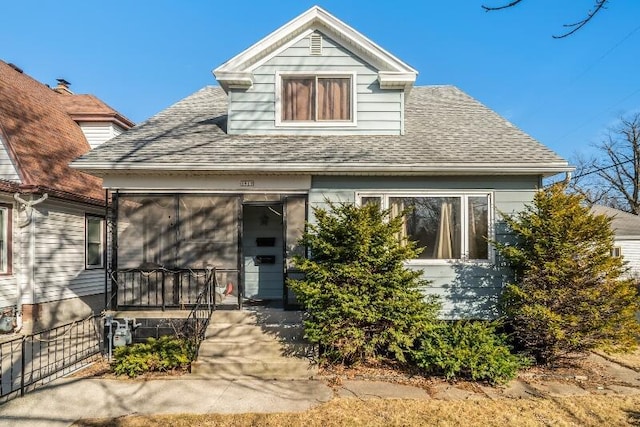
column 448, row 227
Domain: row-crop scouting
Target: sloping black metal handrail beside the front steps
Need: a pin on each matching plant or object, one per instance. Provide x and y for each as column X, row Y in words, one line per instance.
column 195, row 326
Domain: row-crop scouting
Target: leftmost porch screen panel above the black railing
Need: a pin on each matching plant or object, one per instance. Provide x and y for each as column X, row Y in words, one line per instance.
column 146, row 232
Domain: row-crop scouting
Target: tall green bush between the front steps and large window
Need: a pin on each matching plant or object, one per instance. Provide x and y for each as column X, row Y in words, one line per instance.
column 363, row 302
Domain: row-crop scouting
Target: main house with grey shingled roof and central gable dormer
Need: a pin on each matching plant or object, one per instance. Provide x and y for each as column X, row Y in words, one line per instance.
column 313, row 112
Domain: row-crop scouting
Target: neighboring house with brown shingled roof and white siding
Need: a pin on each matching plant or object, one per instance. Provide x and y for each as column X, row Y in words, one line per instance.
column 52, row 243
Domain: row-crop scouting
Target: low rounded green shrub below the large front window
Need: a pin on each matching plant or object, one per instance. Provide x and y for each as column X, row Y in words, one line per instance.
column 467, row 350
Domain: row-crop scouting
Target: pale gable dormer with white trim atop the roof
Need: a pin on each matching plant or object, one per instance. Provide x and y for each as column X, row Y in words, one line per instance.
column 315, row 75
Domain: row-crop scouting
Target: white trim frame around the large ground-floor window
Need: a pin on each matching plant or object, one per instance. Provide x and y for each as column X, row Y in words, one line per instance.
column 464, row 206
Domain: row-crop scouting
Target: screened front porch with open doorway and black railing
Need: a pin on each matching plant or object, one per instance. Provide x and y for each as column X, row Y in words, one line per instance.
column 169, row 247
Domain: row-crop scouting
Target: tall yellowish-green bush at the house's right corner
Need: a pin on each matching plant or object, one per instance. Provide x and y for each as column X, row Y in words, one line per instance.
column 569, row 293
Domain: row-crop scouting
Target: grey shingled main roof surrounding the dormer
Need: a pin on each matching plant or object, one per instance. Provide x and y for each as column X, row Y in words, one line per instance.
column 446, row 132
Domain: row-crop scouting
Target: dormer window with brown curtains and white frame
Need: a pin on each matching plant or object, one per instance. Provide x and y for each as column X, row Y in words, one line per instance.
column 315, row 100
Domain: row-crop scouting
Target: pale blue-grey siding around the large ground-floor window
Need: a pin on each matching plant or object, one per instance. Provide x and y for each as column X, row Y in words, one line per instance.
column 466, row 289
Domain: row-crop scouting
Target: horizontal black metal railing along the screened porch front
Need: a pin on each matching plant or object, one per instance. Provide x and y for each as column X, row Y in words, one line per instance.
column 159, row 288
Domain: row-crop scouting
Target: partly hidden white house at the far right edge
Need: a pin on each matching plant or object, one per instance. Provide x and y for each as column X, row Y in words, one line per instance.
column 626, row 227
